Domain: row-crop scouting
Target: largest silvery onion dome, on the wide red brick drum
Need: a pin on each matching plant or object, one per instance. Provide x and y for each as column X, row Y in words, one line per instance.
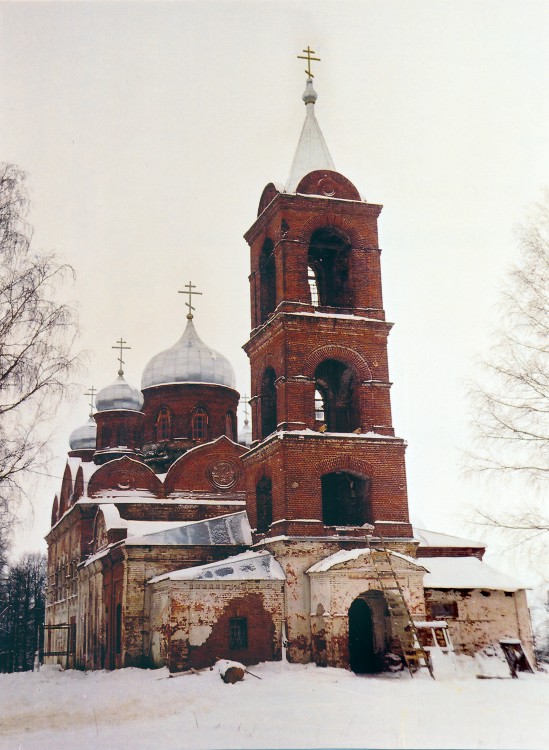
column 189, row 360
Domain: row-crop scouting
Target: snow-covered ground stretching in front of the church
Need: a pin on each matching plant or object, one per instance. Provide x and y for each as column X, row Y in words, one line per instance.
column 291, row 706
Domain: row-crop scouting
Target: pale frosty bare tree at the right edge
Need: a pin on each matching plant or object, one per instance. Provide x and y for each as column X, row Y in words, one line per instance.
column 511, row 407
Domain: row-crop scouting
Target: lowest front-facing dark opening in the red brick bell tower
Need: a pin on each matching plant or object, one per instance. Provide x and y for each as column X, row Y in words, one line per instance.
column 345, row 499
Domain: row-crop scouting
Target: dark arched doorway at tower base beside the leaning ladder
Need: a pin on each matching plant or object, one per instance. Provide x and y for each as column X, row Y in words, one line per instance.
column 368, row 633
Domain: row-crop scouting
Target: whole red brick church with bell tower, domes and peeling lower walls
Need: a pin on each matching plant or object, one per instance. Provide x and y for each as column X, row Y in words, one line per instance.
column 176, row 540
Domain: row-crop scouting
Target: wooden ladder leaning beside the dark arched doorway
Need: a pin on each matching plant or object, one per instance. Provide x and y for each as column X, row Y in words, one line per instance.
column 404, row 628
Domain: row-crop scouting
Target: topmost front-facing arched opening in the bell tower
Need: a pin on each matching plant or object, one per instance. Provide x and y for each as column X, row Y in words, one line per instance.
column 328, row 262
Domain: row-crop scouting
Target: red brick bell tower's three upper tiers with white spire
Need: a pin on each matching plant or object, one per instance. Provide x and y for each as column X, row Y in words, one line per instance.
column 324, row 462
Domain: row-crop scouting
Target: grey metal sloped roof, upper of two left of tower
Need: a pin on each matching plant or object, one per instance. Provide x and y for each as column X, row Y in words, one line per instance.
column 230, row 529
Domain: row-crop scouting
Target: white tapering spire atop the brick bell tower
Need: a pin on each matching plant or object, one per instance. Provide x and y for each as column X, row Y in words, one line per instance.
column 312, row 152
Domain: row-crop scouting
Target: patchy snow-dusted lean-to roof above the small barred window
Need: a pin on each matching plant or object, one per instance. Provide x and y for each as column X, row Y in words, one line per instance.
column 246, row 566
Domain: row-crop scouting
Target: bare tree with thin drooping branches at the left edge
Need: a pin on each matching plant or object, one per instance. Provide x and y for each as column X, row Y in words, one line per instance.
column 36, row 340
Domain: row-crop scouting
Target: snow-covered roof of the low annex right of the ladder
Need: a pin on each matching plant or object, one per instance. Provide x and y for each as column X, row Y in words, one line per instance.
column 465, row 573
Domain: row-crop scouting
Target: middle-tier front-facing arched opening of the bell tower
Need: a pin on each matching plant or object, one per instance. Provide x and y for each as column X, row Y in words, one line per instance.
column 336, row 397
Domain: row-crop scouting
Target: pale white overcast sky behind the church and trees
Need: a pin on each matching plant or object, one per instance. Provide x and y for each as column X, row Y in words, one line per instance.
column 148, row 131
